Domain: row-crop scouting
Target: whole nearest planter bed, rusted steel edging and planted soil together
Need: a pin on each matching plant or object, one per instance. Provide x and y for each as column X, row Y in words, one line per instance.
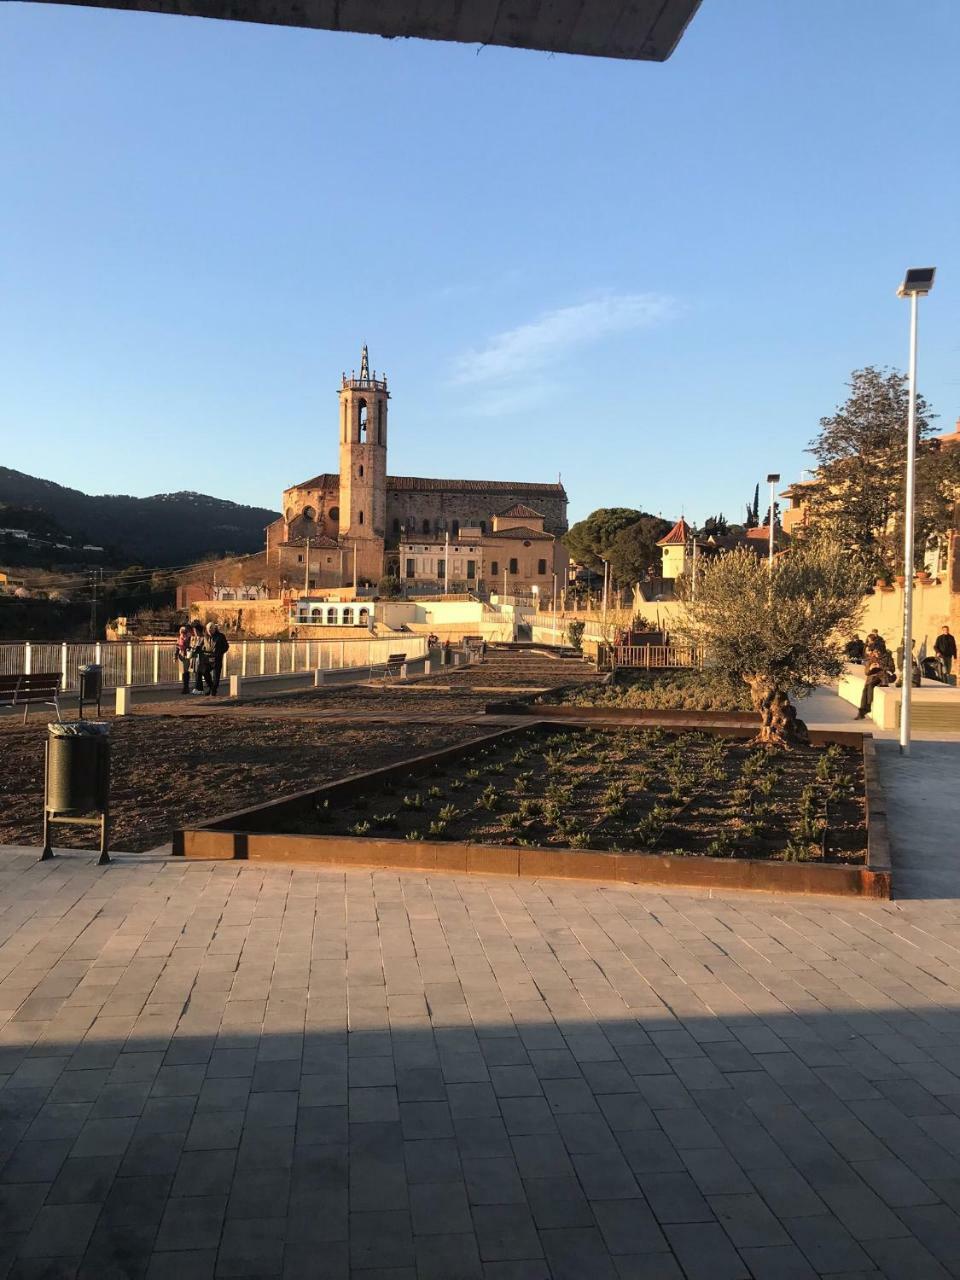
column 618, row 804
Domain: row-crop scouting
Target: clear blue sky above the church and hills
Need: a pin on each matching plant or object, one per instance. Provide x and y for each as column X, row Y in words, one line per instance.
column 650, row 280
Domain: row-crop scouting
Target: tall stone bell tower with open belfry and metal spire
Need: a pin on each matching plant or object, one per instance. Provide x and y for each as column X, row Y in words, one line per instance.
column 364, row 403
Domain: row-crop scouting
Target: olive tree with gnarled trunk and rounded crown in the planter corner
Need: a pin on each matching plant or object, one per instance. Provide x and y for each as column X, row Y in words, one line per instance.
column 781, row 632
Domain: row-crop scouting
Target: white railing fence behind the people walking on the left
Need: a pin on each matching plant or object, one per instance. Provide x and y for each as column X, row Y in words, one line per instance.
column 153, row 662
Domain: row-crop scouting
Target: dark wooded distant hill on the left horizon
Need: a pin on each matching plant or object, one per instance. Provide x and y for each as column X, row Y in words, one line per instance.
column 167, row 529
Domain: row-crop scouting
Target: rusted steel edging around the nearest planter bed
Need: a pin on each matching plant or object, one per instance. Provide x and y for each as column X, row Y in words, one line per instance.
column 246, row 835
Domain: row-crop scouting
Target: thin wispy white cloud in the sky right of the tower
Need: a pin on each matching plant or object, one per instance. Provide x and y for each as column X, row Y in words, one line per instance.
column 531, row 348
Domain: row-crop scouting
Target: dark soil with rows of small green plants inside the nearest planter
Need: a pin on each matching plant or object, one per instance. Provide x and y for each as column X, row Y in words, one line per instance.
column 628, row 790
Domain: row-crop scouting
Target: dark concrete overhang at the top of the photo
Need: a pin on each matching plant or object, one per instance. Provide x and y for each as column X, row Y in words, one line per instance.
column 646, row 30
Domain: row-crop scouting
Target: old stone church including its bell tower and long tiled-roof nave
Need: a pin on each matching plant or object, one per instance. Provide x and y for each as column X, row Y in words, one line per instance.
column 354, row 522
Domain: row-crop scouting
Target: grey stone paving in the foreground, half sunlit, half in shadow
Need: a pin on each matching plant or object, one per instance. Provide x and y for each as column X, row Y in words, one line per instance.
column 231, row 1069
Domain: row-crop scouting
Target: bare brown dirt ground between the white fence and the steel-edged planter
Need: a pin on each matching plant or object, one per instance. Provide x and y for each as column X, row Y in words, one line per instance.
column 177, row 764
